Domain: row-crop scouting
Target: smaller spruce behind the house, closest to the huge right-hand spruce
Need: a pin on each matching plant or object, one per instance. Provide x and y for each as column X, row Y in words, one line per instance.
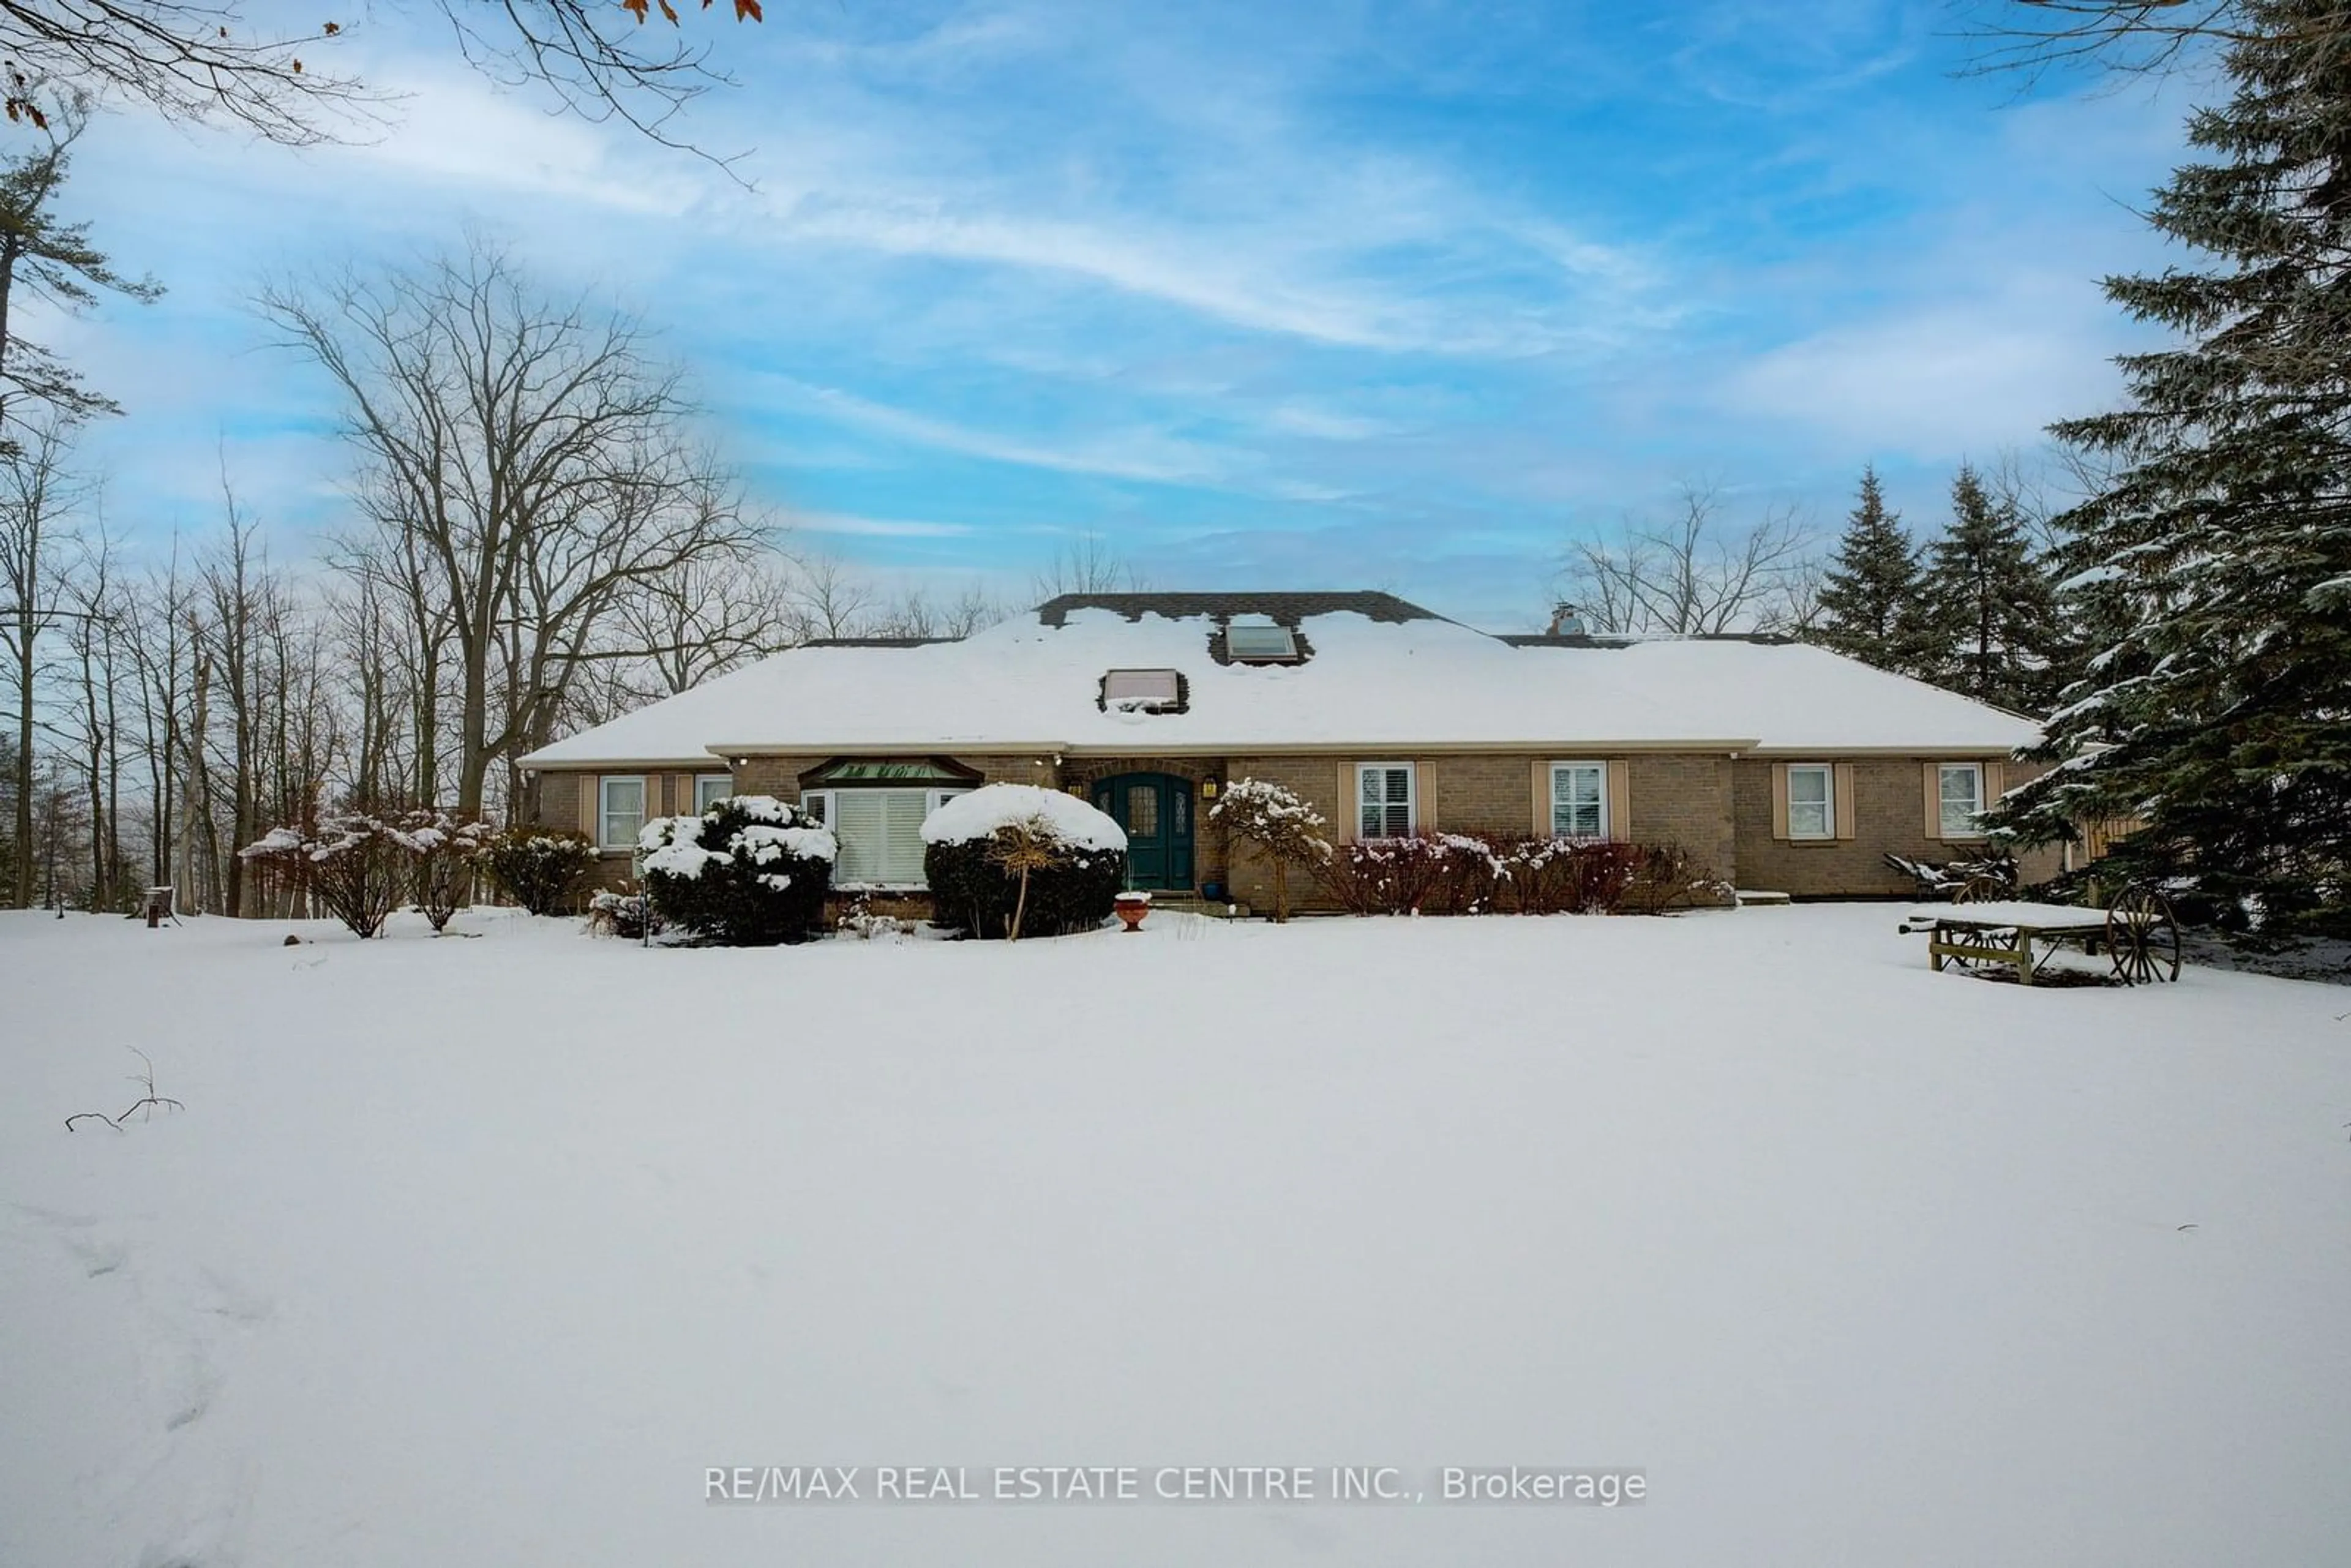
column 1988, row 615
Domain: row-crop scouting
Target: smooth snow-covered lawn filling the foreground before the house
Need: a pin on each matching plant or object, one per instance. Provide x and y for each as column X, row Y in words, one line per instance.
column 485, row 1252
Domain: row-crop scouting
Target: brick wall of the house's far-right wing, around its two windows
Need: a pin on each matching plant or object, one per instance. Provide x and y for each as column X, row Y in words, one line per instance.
column 1889, row 815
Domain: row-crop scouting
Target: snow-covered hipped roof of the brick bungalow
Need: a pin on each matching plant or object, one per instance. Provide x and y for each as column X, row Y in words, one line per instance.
column 1372, row 678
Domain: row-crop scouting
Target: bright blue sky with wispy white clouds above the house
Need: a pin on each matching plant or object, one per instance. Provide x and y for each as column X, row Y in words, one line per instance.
column 1264, row 295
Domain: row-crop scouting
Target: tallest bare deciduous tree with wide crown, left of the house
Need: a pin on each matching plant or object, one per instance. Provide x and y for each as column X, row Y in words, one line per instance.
column 528, row 467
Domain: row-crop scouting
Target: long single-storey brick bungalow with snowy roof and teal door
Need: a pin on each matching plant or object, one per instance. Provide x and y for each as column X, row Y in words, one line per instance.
column 1776, row 765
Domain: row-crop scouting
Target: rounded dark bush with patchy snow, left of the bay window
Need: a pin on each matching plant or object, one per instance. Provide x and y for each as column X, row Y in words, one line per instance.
column 746, row 873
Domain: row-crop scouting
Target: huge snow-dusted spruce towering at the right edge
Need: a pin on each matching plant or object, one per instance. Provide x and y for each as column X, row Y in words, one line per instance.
column 2216, row 568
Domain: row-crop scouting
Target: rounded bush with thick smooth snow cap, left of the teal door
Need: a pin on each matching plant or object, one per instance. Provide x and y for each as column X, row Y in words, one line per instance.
column 1022, row 862
